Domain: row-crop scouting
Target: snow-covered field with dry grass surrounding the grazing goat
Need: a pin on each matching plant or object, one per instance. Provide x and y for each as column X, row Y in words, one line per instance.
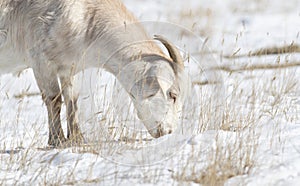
column 241, row 124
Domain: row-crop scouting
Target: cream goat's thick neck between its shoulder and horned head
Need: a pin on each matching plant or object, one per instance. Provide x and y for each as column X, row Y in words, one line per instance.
column 125, row 56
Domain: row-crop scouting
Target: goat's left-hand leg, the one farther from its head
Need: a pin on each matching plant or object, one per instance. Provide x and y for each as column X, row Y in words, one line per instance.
column 51, row 94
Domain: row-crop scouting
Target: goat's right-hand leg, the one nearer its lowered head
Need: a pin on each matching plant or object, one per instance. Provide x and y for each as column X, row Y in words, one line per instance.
column 70, row 98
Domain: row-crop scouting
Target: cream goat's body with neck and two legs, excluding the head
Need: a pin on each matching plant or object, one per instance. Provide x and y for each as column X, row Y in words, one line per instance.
column 58, row 38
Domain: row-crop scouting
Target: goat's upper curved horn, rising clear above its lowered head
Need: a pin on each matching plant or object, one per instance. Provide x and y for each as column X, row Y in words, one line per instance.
column 173, row 51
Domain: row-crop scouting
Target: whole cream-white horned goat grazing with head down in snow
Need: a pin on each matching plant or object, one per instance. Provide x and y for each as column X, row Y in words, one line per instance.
column 59, row 38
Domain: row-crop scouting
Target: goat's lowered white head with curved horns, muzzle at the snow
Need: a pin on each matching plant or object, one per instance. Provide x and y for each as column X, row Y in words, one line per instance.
column 158, row 94
